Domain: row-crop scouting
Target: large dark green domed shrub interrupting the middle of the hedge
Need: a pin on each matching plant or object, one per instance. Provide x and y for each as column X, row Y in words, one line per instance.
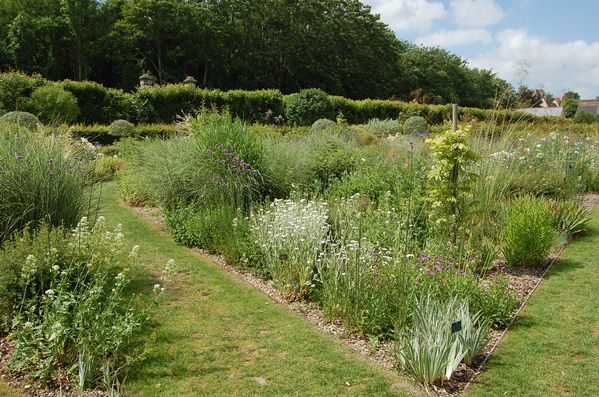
column 307, row 106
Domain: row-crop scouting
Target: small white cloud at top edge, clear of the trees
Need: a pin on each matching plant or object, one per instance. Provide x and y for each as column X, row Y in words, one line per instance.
column 476, row 13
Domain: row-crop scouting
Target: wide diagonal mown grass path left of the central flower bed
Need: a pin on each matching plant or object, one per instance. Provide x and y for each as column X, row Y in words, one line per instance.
column 219, row 337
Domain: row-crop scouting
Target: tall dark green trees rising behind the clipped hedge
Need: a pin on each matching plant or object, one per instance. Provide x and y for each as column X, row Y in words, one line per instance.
column 336, row 45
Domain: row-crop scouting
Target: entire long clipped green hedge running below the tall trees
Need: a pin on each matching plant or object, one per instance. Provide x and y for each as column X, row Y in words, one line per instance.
column 164, row 104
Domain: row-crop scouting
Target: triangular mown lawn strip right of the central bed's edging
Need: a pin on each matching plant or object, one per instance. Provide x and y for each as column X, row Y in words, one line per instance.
column 553, row 348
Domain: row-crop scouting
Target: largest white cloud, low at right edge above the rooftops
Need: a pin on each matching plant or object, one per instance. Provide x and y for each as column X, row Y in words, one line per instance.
column 557, row 66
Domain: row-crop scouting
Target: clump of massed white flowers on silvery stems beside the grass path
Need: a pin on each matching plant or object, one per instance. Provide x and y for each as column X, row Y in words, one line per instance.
column 290, row 235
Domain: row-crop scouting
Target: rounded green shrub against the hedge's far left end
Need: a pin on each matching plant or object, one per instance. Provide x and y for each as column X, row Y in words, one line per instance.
column 54, row 105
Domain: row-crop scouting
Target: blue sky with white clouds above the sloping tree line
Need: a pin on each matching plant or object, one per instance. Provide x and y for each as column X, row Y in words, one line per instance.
column 550, row 44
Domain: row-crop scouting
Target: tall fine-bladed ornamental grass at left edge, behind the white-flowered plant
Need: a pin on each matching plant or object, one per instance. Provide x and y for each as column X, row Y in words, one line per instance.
column 44, row 179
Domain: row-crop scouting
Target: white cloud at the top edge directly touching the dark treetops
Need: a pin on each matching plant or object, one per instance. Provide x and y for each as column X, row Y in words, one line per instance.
column 404, row 15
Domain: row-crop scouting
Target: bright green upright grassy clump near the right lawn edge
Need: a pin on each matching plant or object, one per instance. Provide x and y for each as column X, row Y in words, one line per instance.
column 528, row 233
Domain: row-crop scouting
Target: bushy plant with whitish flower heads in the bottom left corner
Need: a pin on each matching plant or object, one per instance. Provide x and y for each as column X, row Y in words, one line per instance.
column 73, row 318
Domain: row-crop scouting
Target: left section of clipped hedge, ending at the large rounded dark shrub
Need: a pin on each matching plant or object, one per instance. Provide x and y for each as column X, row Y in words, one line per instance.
column 158, row 104
